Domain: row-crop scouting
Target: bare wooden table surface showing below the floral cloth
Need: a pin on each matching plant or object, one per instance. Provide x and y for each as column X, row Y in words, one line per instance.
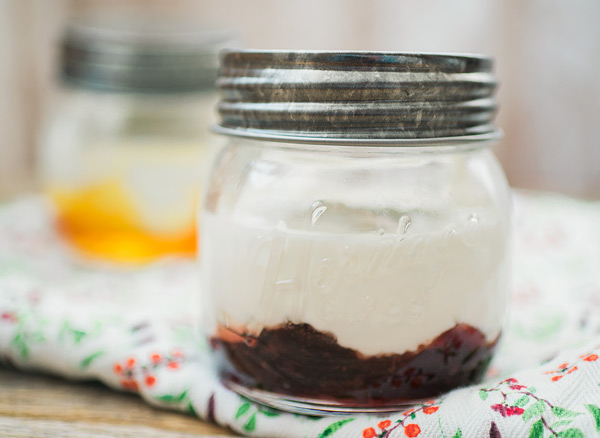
column 34, row 405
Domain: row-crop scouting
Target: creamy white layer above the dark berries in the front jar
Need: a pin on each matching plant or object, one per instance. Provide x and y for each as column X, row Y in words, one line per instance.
column 377, row 294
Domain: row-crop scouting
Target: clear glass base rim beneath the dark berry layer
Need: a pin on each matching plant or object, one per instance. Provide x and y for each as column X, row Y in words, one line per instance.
column 316, row 407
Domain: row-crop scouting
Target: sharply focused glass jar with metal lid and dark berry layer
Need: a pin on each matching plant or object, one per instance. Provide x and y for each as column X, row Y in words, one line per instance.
column 356, row 228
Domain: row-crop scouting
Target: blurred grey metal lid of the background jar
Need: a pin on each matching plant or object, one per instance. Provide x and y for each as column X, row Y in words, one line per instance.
column 133, row 54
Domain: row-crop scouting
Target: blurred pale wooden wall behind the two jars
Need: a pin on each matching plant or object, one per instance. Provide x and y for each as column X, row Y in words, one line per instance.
column 547, row 51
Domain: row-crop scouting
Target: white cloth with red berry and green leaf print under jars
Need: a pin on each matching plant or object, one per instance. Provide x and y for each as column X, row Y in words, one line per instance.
column 135, row 331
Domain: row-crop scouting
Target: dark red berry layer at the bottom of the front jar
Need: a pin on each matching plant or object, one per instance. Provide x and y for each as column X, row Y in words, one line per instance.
column 297, row 360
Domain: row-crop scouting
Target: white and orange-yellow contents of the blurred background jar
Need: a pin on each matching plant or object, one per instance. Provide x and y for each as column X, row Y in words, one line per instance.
column 130, row 202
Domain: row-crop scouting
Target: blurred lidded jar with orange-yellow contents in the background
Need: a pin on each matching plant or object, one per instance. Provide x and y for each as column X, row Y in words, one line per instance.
column 124, row 150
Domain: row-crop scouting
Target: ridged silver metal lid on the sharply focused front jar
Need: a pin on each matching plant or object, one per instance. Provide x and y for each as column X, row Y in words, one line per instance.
column 356, row 97
